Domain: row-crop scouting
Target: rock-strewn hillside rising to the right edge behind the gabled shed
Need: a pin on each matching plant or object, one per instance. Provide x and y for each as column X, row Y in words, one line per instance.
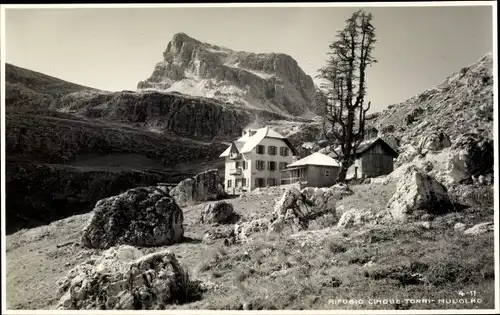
column 461, row 104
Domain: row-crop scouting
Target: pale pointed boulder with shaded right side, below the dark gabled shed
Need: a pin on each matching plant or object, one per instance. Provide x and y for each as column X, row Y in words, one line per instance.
column 417, row 190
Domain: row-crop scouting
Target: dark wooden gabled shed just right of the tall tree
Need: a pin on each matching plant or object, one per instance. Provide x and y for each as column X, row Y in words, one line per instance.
column 373, row 157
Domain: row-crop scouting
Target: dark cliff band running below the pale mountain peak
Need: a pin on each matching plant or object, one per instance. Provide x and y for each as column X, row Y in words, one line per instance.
column 169, row 113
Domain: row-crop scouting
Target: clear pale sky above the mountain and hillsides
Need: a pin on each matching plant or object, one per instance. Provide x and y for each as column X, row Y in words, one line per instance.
column 113, row 49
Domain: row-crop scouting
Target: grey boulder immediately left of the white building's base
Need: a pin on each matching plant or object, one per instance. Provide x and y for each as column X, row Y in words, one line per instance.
column 202, row 187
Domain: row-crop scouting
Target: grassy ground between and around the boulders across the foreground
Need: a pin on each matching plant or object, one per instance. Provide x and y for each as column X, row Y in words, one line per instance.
column 303, row 271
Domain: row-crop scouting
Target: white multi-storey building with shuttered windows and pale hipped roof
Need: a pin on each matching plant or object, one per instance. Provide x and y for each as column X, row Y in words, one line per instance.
column 256, row 160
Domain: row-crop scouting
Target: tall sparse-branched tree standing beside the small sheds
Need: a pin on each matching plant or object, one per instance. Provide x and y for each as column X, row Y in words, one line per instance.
column 344, row 100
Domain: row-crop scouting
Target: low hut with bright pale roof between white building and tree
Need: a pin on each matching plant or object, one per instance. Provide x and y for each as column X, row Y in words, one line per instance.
column 315, row 170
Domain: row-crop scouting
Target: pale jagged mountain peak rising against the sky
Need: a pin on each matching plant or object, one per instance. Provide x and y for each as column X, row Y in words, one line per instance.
column 272, row 82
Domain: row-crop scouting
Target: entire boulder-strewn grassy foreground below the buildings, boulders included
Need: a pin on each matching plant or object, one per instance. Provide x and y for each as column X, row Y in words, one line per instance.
column 140, row 250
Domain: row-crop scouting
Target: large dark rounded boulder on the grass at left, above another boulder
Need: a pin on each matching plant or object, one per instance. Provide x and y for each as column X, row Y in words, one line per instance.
column 144, row 216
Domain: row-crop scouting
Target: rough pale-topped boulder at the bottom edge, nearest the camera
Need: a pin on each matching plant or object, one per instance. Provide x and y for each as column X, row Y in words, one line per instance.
column 124, row 279
